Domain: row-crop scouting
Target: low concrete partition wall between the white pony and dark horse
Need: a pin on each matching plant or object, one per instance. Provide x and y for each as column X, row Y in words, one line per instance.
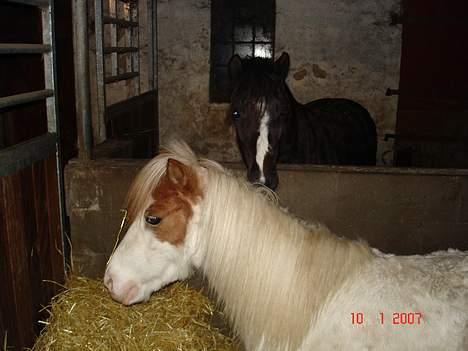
column 403, row 211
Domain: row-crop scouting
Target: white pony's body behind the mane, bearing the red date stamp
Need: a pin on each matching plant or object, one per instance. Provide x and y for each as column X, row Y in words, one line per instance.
column 399, row 303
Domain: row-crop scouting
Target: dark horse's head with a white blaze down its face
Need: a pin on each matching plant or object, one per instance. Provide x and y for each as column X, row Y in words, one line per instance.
column 259, row 106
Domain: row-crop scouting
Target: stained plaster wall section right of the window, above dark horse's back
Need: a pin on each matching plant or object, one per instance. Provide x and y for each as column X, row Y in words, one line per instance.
column 350, row 50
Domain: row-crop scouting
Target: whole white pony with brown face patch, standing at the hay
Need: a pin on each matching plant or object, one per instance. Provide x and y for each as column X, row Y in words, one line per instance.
column 284, row 284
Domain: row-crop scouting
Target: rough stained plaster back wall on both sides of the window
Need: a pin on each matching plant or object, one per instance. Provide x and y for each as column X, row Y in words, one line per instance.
column 342, row 48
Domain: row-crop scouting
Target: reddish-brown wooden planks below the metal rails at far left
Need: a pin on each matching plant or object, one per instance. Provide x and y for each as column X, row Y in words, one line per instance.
column 30, row 249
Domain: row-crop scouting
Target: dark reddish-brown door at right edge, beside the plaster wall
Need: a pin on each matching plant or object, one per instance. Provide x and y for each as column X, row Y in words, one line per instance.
column 432, row 118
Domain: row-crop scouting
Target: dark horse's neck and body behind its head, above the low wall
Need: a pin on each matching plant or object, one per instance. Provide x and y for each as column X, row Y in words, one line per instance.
column 327, row 131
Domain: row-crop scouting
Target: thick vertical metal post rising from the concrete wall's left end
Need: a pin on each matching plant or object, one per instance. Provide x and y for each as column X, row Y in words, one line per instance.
column 83, row 105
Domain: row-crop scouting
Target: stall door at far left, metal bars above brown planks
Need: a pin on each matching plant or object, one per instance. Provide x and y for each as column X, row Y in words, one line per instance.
column 31, row 254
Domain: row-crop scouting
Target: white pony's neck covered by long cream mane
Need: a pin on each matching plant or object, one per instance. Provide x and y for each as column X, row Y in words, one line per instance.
column 271, row 272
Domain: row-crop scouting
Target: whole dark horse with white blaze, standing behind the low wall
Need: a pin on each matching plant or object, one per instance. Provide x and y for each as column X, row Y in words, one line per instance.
column 271, row 126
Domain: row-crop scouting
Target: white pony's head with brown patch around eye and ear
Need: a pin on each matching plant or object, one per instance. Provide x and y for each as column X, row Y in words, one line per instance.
column 157, row 247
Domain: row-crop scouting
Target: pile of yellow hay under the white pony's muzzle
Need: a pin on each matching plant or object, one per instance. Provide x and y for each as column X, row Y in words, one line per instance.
column 84, row 317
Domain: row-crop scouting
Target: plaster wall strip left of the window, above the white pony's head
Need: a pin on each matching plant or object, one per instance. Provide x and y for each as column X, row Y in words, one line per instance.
column 183, row 71
